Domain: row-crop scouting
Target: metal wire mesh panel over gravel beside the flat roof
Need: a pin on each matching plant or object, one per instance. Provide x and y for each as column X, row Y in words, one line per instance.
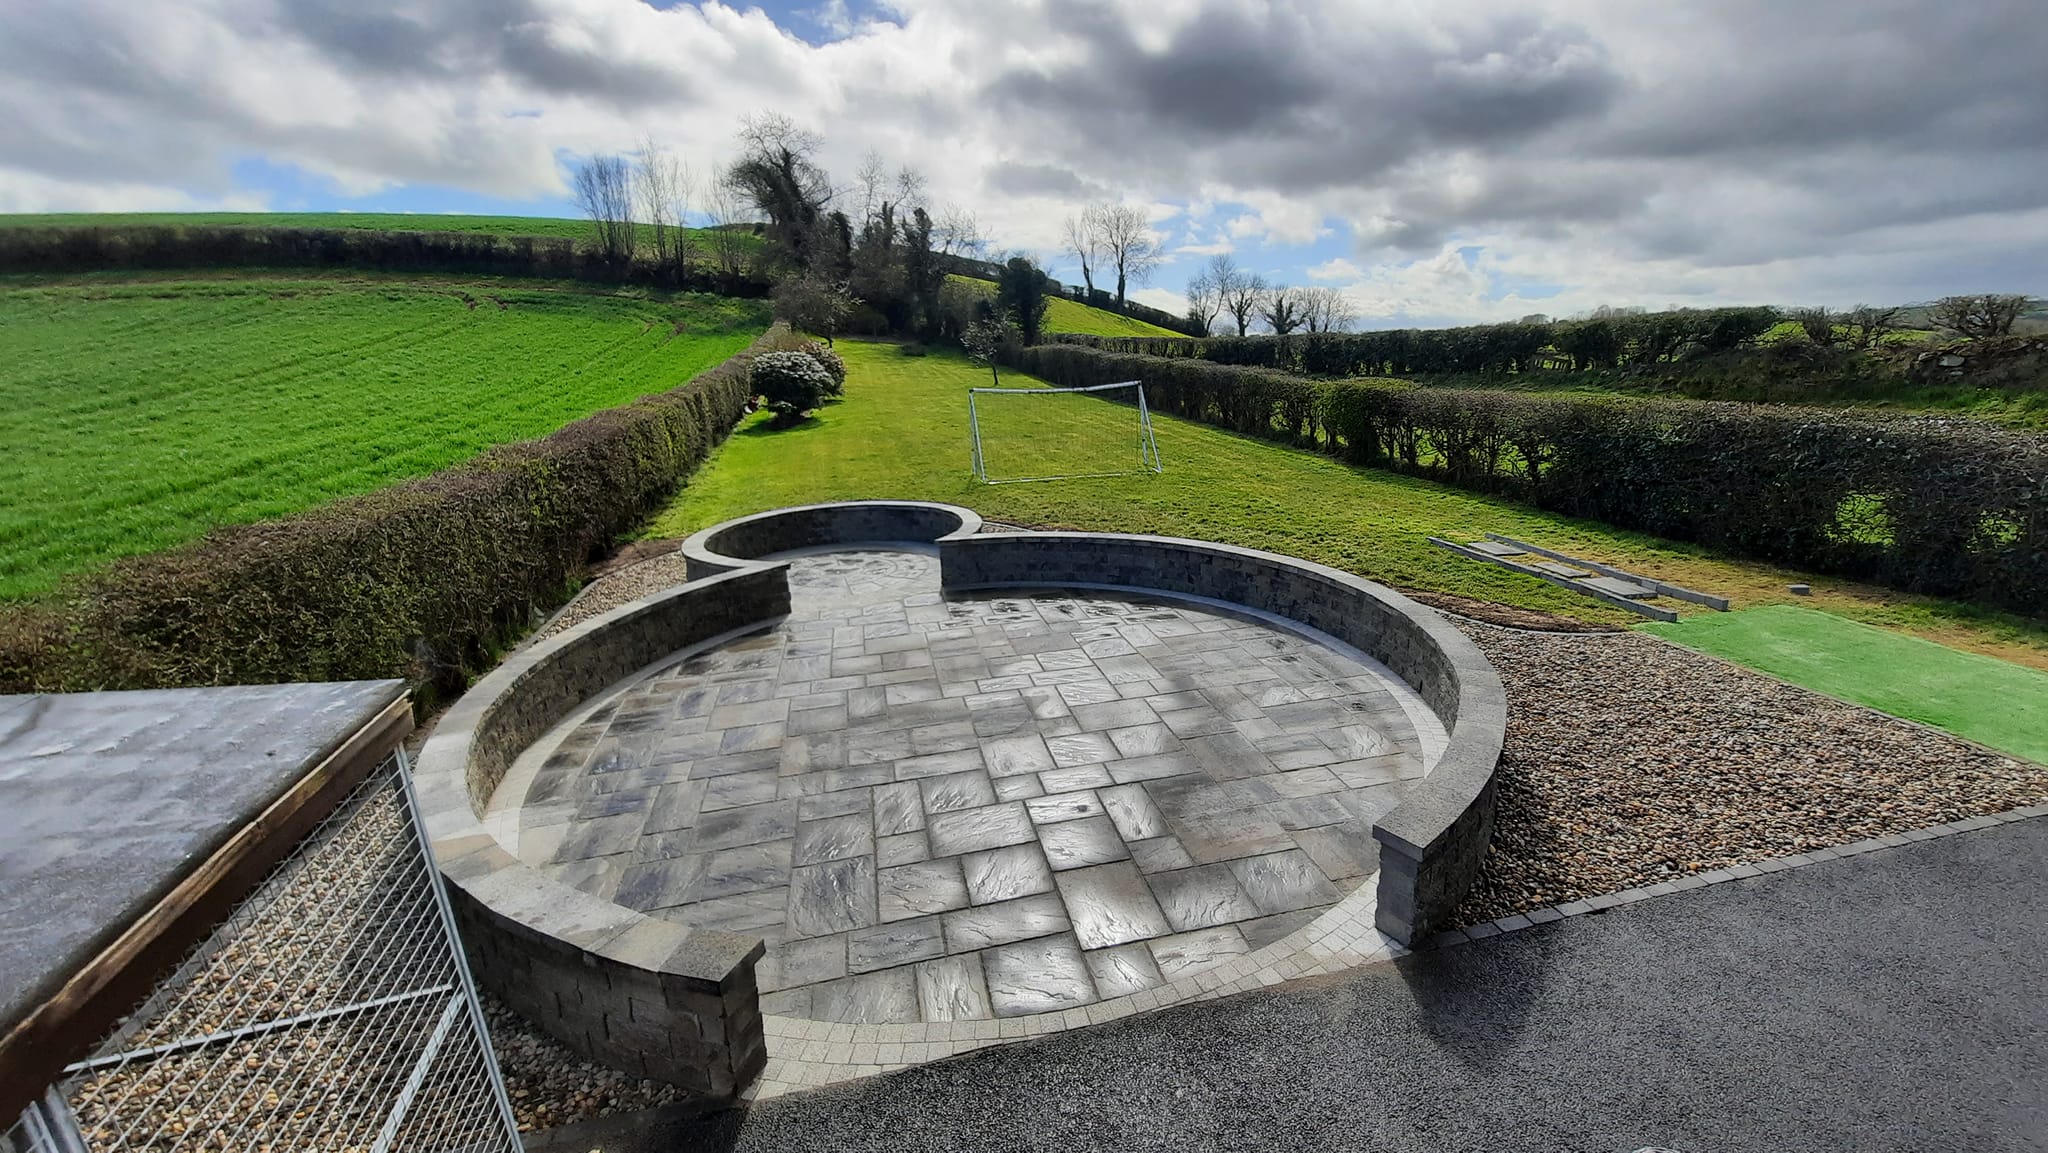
column 331, row 1013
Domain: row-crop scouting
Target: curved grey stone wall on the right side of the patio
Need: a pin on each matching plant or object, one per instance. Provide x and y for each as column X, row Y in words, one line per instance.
column 1433, row 845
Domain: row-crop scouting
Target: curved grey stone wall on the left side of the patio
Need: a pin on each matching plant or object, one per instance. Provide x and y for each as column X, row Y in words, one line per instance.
column 634, row 992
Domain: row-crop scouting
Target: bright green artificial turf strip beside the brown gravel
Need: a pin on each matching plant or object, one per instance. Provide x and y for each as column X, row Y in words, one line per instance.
column 1990, row 701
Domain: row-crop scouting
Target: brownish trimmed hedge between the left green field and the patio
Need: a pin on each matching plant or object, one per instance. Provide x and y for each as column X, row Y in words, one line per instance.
column 419, row 581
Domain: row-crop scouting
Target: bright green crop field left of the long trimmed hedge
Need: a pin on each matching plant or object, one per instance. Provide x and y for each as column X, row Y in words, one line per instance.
column 138, row 415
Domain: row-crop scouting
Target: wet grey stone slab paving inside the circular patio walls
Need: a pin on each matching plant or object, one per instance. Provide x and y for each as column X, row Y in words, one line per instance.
column 978, row 808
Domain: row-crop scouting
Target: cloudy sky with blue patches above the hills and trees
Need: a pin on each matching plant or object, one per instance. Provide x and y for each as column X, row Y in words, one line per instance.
column 1437, row 161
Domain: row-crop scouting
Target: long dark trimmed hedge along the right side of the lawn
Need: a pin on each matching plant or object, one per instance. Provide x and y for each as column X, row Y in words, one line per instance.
column 1924, row 505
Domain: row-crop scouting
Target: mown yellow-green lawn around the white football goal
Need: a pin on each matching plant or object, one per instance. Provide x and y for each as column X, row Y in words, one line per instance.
column 902, row 433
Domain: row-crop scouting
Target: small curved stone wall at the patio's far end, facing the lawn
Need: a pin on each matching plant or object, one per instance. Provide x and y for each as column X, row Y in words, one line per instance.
column 740, row 544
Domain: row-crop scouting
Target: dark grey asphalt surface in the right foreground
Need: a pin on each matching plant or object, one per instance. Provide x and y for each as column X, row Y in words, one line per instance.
column 1893, row 1000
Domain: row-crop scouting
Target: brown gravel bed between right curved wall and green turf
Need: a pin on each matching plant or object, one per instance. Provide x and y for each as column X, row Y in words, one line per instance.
column 1633, row 761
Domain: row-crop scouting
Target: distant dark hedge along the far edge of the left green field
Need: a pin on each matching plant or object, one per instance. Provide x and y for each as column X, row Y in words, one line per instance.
column 101, row 249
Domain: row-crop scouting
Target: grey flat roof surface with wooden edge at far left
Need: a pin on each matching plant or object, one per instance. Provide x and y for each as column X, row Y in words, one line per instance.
column 110, row 800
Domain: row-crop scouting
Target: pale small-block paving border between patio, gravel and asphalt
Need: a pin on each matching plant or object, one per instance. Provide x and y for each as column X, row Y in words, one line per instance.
column 804, row 1054
